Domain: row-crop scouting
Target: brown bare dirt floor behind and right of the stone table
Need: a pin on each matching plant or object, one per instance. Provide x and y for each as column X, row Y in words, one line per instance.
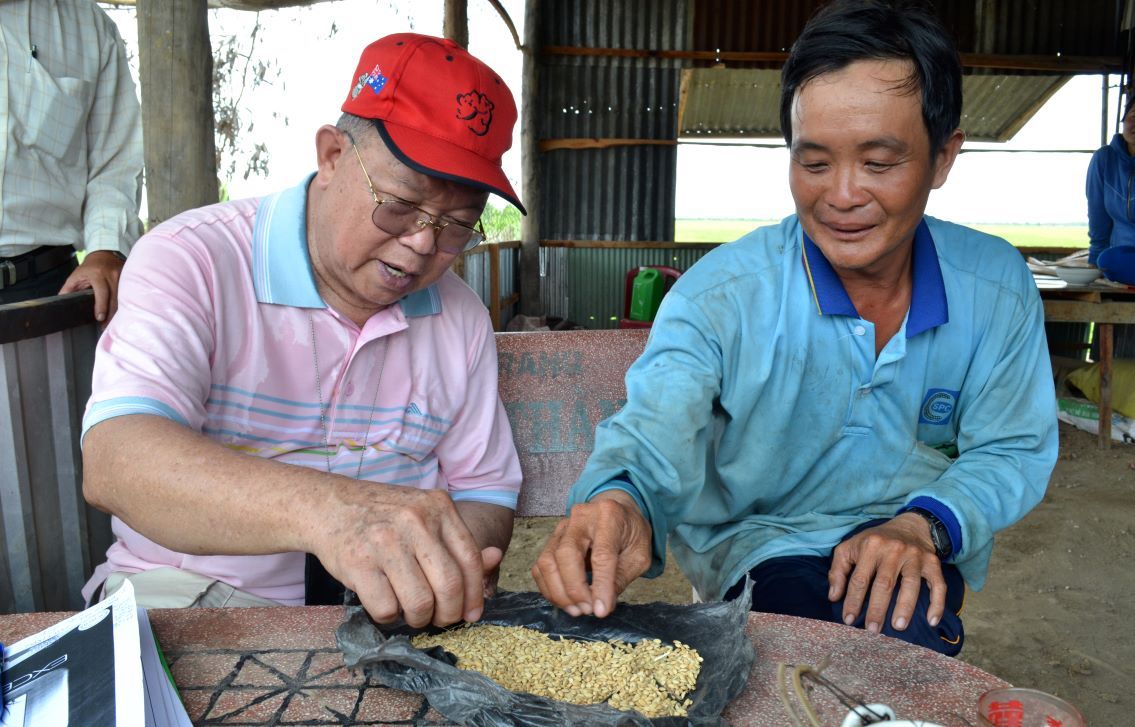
column 1058, row 612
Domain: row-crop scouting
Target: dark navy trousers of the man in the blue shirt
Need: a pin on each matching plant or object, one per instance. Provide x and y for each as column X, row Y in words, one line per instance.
column 797, row 586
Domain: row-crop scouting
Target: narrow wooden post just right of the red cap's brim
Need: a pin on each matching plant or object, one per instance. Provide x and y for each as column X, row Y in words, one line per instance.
column 531, row 303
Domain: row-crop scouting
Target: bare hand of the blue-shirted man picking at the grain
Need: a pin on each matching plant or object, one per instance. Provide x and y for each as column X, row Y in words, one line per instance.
column 608, row 536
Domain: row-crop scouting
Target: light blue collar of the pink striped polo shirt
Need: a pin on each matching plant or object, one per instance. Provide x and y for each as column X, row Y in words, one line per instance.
column 282, row 273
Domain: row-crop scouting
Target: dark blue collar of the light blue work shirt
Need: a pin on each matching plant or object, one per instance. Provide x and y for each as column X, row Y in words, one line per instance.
column 929, row 307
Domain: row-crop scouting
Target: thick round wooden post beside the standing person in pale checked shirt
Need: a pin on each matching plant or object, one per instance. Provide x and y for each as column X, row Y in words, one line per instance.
column 178, row 113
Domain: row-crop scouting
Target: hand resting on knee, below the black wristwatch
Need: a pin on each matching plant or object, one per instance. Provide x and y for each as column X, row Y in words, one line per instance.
column 898, row 553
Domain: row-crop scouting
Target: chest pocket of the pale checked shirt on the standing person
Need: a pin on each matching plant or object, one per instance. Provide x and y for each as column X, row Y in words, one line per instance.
column 52, row 117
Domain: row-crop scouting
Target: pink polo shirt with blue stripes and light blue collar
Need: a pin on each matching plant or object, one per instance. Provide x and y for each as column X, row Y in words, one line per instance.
column 213, row 332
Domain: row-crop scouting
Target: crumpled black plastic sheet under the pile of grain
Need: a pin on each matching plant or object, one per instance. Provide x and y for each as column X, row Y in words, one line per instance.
column 717, row 630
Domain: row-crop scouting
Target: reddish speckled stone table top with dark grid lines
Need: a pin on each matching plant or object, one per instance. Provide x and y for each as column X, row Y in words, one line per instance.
column 280, row 666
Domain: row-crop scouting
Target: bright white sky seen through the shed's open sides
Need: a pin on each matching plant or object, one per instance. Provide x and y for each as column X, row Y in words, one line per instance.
column 315, row 50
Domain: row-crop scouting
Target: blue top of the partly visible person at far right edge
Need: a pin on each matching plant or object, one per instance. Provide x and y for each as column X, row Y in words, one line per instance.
column 1111, row 189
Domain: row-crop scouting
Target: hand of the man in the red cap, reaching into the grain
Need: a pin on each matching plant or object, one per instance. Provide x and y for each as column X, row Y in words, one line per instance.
column 405, row 553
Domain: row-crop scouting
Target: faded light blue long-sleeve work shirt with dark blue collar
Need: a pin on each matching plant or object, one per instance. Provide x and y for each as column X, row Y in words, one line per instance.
column 760, row 422
